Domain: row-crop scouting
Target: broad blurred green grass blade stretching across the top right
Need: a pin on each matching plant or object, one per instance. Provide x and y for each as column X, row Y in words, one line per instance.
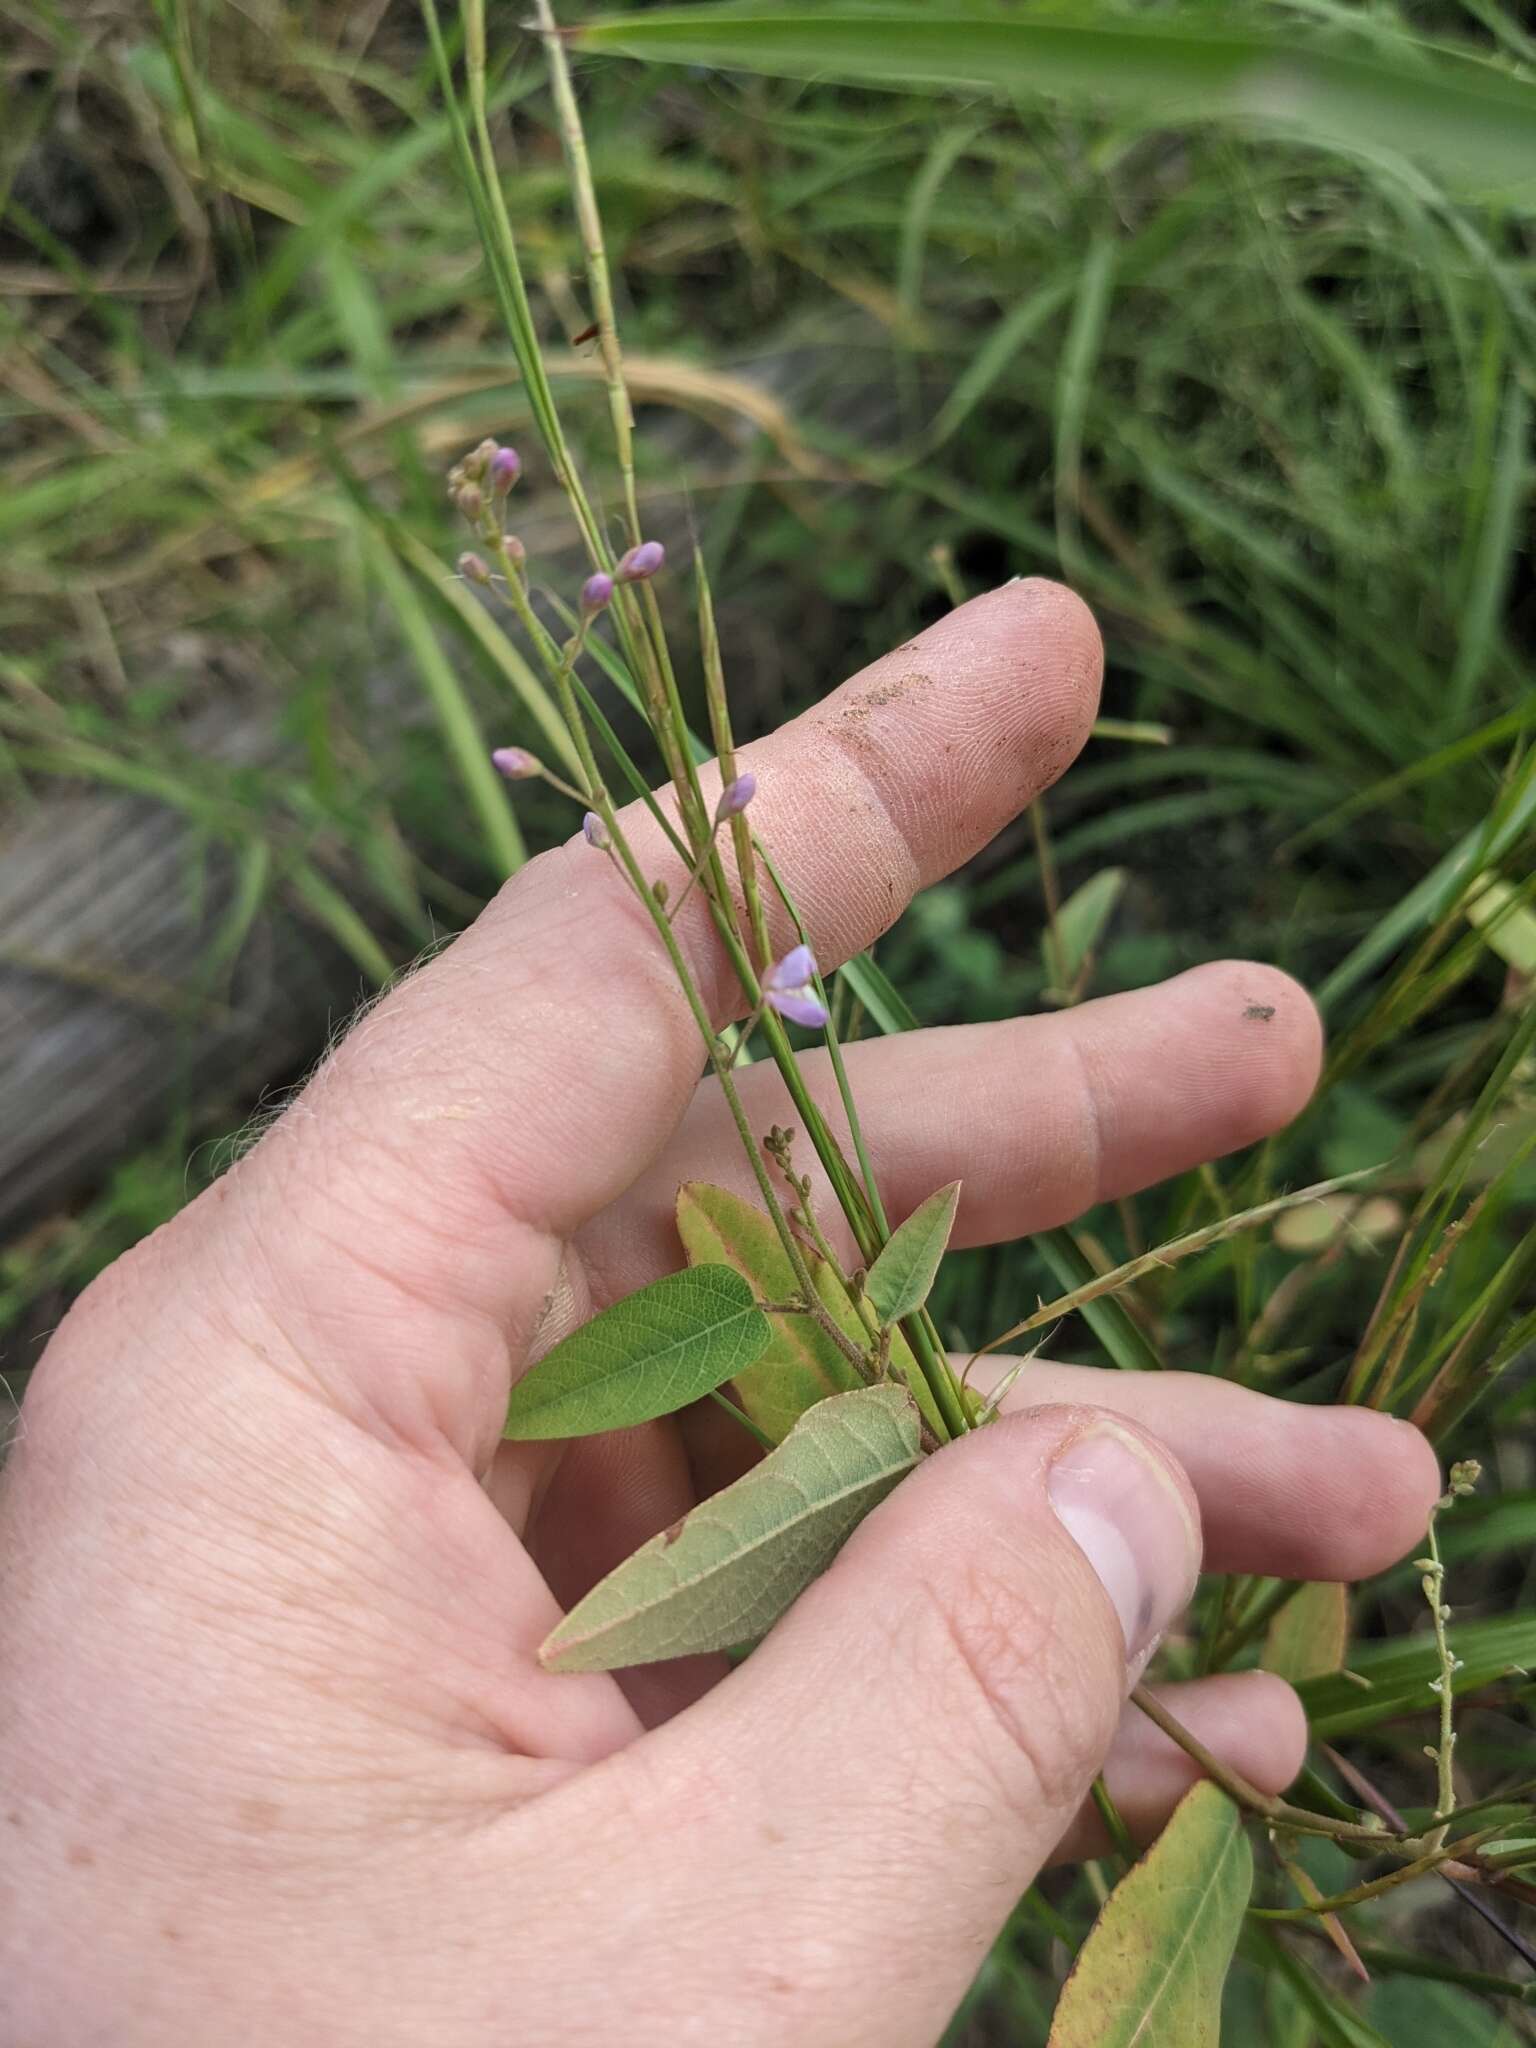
column 1467, row 118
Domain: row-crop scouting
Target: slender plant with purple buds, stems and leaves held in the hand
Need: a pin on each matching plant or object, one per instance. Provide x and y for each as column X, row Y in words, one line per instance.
column 808, row 1312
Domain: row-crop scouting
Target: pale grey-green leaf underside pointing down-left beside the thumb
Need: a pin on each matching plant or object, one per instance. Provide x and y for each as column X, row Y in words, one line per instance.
column 734, row 1564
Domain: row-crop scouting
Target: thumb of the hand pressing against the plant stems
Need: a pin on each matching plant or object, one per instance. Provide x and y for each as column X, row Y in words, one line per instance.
column 859, row 1807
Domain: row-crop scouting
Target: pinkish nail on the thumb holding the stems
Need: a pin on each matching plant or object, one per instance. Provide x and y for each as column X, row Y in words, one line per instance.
column 1125, row 1512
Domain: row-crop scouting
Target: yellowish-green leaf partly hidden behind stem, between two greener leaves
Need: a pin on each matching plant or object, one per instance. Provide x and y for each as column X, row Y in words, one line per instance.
column 800, row 1365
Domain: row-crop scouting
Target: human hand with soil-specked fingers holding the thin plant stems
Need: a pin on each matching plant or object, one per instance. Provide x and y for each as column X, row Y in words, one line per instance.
column 278, row 1762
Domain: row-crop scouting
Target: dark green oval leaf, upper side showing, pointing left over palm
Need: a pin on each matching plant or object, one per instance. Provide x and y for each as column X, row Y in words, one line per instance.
column 650, row 1355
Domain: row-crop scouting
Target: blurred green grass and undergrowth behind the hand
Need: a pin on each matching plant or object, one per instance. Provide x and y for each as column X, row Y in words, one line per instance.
column 1265, row 402
